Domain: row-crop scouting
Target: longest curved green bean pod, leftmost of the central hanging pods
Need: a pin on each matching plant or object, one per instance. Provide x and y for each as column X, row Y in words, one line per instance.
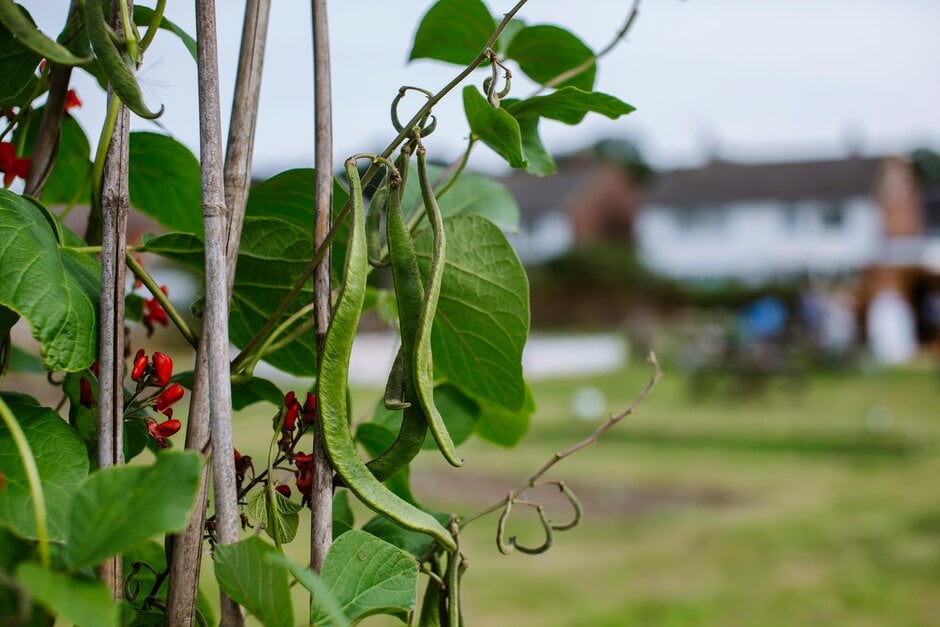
column 332, row 384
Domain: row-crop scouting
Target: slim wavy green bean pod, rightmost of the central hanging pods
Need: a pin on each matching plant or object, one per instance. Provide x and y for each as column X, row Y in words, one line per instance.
column 423, row 365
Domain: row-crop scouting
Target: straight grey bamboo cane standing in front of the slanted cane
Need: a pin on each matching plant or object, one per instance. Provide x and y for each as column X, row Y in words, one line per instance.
column 216, row 311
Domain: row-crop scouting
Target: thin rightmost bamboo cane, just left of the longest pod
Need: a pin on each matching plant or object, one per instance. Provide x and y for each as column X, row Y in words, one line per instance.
column 321, row 496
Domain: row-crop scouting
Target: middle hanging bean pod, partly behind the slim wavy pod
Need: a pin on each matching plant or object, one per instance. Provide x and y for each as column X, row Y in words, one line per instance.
column 410, row 295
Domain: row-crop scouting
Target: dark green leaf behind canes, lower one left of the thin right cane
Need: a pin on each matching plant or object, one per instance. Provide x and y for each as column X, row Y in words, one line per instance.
column 273, row 253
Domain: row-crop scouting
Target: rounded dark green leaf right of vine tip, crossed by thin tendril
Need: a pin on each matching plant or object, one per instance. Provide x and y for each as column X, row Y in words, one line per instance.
column 544, row 52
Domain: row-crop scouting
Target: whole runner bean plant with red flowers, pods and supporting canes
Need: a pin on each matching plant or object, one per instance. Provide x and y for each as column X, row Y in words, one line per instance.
column 105, row 508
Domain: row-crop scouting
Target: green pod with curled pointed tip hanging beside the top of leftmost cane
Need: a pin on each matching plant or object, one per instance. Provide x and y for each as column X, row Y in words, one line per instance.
column 118, row 69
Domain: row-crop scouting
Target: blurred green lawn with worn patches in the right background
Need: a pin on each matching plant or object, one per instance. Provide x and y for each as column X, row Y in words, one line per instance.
column 780, row 509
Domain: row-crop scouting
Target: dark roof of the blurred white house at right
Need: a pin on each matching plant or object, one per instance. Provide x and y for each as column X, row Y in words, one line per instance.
column 722, row 182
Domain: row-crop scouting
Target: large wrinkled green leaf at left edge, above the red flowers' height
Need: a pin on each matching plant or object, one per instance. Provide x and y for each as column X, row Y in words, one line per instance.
column 55, row 289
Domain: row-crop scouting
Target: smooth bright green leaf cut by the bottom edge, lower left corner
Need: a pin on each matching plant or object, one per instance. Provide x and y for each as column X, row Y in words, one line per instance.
column 73, row 598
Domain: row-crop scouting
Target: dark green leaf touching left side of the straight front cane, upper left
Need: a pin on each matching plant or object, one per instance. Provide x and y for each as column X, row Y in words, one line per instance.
column 164, row 181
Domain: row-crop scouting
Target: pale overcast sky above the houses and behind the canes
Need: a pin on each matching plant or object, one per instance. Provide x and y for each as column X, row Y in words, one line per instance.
column 776, row 79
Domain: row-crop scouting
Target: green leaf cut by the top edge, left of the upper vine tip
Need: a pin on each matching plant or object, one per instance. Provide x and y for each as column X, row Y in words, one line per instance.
column 454, row 31
